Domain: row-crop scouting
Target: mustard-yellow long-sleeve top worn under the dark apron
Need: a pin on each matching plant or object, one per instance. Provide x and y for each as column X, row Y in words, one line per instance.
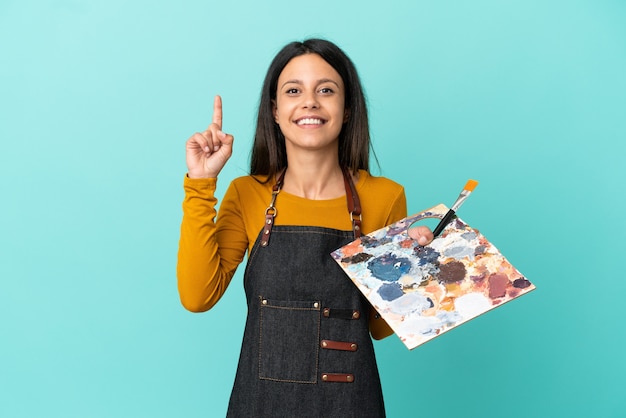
column 210, row 250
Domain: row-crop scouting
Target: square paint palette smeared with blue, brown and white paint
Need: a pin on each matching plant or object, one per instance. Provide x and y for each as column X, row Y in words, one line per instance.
column 424, row 291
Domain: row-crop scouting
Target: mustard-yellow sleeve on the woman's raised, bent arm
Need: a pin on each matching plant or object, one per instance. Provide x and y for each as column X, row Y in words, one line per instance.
column 208, row 251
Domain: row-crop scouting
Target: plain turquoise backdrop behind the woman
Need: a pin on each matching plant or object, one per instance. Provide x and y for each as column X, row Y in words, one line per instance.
column 98, row 97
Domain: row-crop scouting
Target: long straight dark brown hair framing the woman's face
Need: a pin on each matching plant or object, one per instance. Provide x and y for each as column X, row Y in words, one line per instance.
column 269, row 154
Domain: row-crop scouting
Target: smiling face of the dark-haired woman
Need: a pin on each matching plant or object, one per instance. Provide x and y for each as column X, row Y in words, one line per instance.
column 310, row 104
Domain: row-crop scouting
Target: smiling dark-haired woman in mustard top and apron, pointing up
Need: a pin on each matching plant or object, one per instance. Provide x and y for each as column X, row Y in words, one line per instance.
column 306, row 347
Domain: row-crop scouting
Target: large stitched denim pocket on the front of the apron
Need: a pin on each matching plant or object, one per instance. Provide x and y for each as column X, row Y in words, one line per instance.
column 289, row 340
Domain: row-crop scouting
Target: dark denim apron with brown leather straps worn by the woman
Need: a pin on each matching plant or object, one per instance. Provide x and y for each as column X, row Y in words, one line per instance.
column 306, row 348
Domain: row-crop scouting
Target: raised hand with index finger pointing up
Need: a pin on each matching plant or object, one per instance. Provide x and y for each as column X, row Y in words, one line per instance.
column 208, row 151
